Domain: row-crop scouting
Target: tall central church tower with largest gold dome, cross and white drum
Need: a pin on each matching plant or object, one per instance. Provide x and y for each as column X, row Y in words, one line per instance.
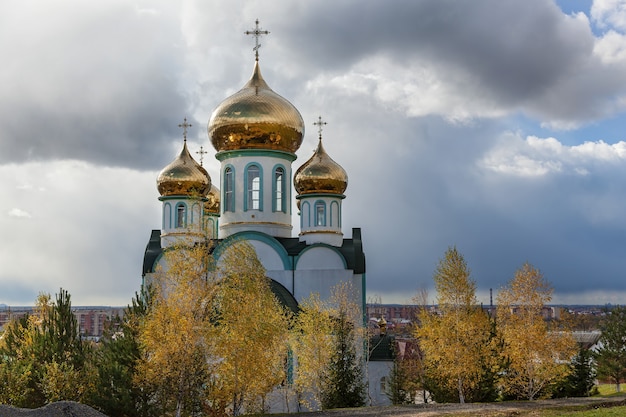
column 256, row 134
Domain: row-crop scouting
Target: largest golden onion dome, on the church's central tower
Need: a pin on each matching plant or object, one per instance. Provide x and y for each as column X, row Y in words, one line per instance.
column 256, row 118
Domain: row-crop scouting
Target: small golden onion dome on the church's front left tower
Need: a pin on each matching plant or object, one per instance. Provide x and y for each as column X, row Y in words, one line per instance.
column 184, row 176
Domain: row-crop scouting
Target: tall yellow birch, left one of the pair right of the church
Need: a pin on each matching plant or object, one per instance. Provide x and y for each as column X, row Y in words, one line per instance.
column 458, row 342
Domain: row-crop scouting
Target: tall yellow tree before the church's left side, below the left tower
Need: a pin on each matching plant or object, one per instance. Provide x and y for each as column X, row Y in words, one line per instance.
column 176, row 360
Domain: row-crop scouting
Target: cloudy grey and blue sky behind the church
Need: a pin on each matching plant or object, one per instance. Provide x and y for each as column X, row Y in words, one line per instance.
column 496, row 126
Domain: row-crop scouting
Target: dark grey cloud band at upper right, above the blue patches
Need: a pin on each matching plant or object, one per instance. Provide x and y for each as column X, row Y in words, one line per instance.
column 514, row 55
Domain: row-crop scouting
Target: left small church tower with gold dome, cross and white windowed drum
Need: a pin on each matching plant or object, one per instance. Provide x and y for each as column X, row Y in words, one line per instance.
column 183, row 186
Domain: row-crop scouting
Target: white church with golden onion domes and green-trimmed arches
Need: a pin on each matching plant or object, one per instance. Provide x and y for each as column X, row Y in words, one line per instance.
column 256, row 134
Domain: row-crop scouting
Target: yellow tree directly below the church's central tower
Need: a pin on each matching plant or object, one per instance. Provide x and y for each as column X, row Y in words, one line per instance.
column 251, row 331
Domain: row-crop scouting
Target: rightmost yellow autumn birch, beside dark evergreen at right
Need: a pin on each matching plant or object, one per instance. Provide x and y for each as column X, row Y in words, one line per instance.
column 538, row 355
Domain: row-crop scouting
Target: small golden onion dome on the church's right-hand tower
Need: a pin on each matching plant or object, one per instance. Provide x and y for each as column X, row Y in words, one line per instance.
column 320, row 174
